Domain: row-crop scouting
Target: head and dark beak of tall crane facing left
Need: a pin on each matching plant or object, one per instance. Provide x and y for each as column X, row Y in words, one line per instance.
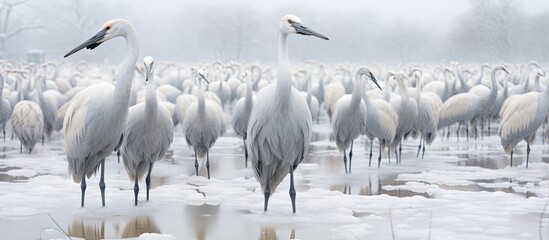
column 111, row 29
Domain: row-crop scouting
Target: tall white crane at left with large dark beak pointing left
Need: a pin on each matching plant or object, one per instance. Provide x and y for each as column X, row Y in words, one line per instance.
column 96, row 116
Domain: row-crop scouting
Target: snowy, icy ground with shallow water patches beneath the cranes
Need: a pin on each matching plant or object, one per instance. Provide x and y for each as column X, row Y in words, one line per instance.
column 461, row 190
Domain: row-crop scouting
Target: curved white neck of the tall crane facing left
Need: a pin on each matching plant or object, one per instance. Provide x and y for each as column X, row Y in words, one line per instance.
column 124, row 79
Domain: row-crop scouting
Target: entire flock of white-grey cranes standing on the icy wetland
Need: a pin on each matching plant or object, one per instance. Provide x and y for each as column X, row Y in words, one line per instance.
column 272, row 112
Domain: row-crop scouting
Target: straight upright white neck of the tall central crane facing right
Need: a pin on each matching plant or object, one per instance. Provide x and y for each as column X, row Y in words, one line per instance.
column 283, row 86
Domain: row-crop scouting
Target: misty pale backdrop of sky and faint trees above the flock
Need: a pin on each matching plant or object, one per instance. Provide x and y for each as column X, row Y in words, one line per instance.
column 394, row 31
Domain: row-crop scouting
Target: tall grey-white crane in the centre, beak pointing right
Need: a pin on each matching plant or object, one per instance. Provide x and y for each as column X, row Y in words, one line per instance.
column 280, row 125
